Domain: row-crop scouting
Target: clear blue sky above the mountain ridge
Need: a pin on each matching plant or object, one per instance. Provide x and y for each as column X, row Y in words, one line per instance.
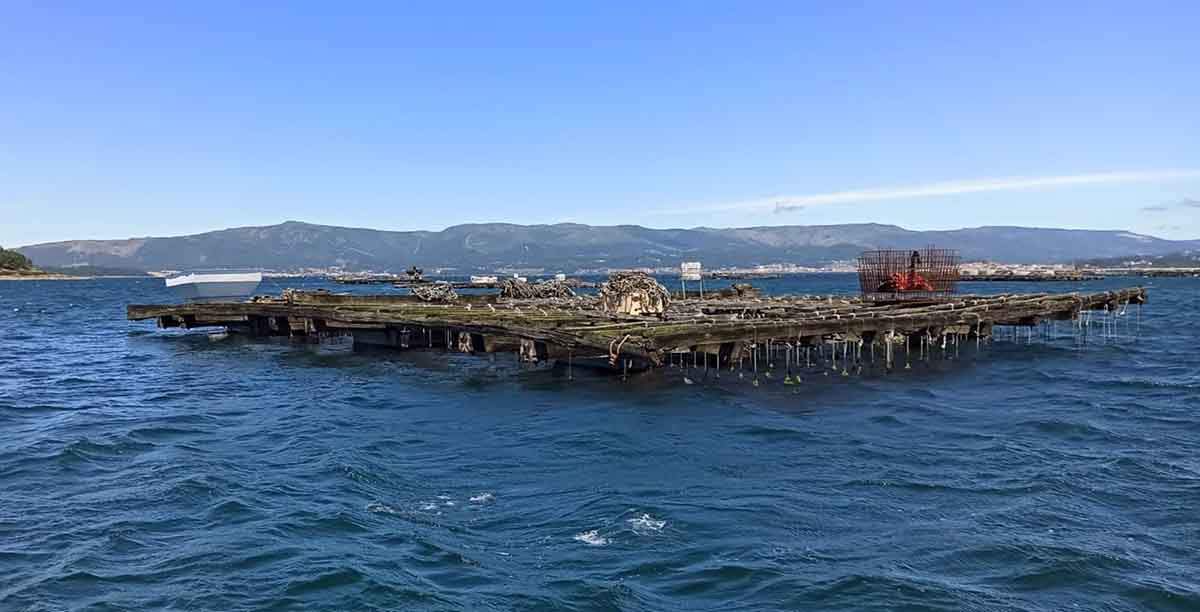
column 124, row 119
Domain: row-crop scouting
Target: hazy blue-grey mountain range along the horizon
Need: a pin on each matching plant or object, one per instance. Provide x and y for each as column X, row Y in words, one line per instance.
column 569, row 247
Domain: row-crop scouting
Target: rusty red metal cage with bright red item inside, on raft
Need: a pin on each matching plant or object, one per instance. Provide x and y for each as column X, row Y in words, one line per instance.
column 905, row 275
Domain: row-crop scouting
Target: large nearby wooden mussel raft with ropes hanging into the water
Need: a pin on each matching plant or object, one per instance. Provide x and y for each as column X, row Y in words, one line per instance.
column 724, row 331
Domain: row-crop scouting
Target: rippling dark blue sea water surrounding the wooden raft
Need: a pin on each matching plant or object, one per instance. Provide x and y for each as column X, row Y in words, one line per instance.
column 146, row 470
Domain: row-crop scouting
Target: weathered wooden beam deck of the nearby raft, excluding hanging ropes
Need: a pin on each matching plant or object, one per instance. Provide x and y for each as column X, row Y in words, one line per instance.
column 579, row 326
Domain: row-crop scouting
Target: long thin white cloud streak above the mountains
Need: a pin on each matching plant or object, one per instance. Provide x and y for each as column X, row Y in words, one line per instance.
column 793, row 203
